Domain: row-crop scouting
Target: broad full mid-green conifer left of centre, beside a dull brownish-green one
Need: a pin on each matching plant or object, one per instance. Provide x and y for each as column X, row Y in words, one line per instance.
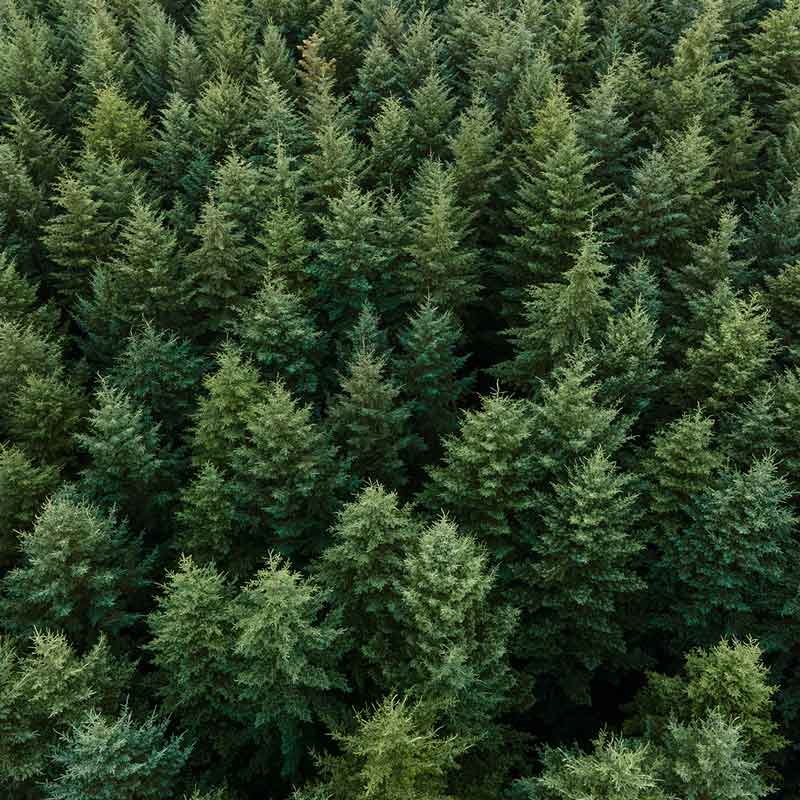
column 288, row 475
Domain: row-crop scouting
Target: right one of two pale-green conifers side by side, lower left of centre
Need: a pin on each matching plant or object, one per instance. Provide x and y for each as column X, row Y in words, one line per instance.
column 289, row 644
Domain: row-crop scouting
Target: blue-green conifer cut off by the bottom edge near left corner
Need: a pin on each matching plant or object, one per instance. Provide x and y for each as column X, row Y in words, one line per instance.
column 113, row 758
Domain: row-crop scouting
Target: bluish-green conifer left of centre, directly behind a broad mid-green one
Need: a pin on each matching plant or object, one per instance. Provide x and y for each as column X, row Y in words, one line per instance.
column 275, row 330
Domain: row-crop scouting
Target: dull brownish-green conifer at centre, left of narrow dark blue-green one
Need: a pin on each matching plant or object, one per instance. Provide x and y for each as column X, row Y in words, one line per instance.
column 370, row 422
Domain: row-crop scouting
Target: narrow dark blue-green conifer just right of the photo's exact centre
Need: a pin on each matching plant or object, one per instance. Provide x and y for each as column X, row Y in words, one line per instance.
column 431, row 372
